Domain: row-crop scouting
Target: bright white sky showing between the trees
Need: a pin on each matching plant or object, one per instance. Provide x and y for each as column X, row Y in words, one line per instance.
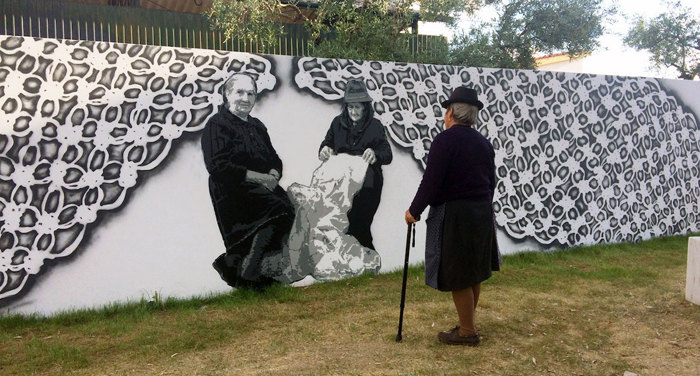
column 613, row 57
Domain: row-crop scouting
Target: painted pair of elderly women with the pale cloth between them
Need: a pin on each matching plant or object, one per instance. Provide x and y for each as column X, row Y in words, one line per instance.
column 331, row 236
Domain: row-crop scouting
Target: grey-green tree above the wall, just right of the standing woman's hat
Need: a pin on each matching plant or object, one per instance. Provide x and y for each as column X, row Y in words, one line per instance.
column 527, row 27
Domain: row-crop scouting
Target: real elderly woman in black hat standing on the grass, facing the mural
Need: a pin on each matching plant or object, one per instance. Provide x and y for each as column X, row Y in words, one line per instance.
column 458, row 184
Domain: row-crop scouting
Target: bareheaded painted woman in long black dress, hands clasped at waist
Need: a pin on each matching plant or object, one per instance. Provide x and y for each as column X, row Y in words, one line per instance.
column 253, row 212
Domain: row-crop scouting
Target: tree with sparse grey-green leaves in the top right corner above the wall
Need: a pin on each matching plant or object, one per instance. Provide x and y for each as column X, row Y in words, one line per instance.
column 672, row 38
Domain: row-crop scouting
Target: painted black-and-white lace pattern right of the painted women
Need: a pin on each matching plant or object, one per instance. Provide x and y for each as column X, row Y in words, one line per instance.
column 581, row 159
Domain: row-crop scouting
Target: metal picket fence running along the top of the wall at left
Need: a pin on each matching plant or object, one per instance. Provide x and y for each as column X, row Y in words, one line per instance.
column 78, row 21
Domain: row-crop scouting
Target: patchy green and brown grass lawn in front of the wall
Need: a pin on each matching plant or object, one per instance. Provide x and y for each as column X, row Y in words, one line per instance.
column 599, row 310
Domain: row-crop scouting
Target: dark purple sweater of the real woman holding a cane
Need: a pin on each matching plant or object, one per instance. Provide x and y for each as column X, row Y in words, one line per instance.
column 460, row 166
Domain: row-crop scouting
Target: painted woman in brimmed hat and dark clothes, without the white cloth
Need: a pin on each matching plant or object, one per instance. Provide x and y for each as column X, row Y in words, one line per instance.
column 356, row 132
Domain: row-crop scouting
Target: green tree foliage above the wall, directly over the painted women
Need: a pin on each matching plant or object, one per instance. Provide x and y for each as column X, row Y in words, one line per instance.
column 354, row 29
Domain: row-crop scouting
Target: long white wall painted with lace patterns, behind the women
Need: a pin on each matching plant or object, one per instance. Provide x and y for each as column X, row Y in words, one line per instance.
column 104, row 192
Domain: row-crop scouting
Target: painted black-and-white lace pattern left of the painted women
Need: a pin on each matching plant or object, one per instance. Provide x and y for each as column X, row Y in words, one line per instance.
column 80, row 121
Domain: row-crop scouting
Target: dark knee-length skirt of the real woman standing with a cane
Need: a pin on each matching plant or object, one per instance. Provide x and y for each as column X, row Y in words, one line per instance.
column 461, row 249
